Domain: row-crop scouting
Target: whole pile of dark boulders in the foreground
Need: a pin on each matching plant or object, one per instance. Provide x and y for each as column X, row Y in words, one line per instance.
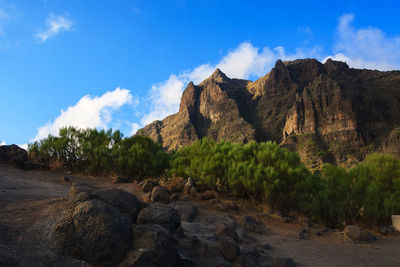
column 112, row 227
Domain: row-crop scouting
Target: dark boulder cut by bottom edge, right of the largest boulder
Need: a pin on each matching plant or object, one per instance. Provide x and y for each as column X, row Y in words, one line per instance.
column 152, row 245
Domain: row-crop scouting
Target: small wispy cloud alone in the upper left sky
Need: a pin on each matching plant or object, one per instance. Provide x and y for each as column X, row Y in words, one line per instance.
column 55, row 24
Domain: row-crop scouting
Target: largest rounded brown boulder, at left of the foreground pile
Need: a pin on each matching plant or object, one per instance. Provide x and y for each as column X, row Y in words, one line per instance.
column 95, row 232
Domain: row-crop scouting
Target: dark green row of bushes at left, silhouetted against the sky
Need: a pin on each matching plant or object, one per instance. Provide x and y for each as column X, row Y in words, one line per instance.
column 101, row 152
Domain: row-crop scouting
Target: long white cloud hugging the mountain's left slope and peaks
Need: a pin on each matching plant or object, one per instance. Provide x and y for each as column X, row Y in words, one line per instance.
column 242, row 62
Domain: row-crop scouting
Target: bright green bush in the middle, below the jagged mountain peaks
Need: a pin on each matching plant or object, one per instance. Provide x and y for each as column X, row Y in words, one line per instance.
column 255, row 171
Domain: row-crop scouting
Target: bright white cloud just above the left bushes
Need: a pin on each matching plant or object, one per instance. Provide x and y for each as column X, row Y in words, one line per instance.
column 89, row 112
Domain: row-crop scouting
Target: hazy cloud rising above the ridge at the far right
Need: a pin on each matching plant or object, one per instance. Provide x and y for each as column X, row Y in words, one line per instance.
column 365, row 48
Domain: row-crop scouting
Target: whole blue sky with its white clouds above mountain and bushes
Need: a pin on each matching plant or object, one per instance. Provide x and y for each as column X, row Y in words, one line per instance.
column 122, row 64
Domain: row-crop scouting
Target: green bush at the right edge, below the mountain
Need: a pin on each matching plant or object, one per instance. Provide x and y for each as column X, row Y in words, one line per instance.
column 368, row 193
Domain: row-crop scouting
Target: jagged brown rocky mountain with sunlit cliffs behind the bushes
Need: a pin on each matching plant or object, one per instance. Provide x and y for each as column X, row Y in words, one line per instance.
column 327, row 112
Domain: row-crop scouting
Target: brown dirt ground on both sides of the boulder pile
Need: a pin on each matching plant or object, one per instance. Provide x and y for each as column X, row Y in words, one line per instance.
column 25, row 195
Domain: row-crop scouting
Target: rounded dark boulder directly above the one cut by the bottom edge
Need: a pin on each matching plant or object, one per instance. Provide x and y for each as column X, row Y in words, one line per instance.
column 160, row 214
